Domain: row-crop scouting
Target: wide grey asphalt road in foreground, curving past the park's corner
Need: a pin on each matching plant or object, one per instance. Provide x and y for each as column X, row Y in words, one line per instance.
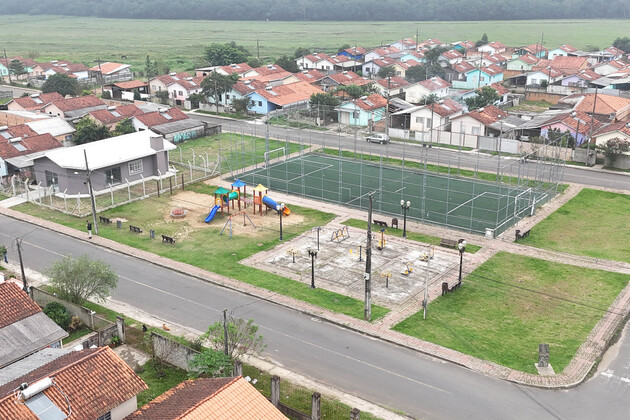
column 380, row 372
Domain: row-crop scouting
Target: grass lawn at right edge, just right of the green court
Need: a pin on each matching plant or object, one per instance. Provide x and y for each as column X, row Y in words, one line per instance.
column 603, row 226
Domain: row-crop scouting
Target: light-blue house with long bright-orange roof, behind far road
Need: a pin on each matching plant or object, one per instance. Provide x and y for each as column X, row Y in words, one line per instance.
column 271, row 98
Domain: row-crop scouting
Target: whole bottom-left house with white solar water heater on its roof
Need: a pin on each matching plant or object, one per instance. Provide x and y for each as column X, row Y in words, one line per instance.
column 58, row 384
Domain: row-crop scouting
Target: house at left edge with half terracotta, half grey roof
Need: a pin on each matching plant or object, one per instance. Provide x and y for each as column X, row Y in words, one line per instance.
column 24, row 328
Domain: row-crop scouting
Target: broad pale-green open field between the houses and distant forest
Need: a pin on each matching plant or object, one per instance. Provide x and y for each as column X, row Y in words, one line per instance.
column 85, row 39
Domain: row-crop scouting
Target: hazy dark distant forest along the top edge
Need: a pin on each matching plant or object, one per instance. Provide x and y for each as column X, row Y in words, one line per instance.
column 326, row 10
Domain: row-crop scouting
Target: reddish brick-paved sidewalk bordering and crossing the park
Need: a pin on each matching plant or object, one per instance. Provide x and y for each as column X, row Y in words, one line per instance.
column 573, row 374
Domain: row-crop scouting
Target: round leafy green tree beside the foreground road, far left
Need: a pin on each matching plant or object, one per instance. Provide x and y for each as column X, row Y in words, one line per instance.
column 78, row 280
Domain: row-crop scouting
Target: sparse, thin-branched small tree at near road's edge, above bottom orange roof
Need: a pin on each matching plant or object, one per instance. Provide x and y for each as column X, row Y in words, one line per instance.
column 242, row 337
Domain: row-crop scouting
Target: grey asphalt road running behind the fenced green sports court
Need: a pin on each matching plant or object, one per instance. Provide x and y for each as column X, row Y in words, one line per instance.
column 442, row 156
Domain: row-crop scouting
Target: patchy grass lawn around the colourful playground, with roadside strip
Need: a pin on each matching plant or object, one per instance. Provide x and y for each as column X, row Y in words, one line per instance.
column 204, row 248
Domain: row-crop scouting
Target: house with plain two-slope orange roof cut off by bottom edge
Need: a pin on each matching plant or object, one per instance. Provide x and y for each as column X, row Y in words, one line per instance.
column 210, row 398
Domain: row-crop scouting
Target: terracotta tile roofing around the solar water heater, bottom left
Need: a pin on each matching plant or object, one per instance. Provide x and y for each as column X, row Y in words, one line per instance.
column 94, row 380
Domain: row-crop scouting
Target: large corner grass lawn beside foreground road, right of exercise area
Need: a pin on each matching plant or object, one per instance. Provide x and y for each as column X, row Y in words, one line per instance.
column 511, row 303
